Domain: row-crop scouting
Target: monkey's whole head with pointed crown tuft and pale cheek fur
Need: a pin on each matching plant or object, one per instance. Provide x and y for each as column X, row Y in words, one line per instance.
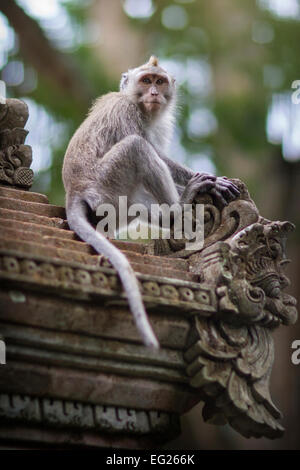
column 149, row 86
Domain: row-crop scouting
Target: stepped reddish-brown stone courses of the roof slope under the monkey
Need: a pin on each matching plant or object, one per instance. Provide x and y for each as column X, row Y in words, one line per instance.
column 30, row 224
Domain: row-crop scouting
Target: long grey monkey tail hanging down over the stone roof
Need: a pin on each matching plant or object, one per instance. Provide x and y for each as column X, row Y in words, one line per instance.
column 78, row 221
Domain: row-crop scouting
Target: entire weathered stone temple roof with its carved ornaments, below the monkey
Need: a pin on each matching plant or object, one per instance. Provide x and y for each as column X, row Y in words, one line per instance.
column 73, row 369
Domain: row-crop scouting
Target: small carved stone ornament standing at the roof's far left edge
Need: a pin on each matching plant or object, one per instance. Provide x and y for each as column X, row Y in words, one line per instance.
column 15, row 157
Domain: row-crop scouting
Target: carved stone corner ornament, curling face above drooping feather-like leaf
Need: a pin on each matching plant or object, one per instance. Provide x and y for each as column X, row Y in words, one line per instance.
column 230, row 355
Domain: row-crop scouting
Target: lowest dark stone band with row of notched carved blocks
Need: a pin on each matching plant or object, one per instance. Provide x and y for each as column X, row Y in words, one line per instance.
column 83, row 416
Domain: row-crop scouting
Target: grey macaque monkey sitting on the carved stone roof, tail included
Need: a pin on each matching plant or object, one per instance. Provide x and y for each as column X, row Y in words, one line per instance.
column 120, row 150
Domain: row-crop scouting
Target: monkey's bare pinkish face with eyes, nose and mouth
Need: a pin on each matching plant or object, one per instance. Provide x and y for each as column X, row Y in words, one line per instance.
column 153, row 92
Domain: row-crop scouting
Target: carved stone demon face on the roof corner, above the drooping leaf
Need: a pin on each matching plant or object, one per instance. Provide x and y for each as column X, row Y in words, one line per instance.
column 254, row 279
